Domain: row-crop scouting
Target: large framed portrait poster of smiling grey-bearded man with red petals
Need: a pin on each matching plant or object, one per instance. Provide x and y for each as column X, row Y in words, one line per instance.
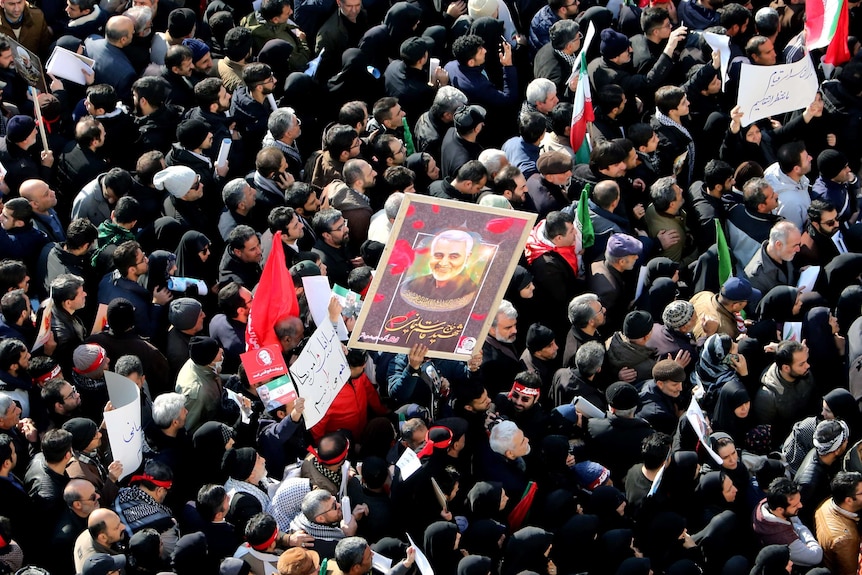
column 442, row 275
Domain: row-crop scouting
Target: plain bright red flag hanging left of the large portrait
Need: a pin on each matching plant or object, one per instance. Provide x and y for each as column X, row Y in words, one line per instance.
column 274, row 299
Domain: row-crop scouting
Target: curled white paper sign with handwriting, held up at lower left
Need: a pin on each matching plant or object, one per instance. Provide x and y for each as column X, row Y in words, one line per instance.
column 124, row 422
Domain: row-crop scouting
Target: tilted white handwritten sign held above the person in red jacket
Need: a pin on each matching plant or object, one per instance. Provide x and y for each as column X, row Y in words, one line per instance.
column 320, row 372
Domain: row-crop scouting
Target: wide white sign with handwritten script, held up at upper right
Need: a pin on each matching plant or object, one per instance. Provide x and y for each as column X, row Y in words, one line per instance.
column 774, row 90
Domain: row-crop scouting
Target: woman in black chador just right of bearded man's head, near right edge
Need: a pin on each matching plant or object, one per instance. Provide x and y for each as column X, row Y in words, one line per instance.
column 827, row 350
